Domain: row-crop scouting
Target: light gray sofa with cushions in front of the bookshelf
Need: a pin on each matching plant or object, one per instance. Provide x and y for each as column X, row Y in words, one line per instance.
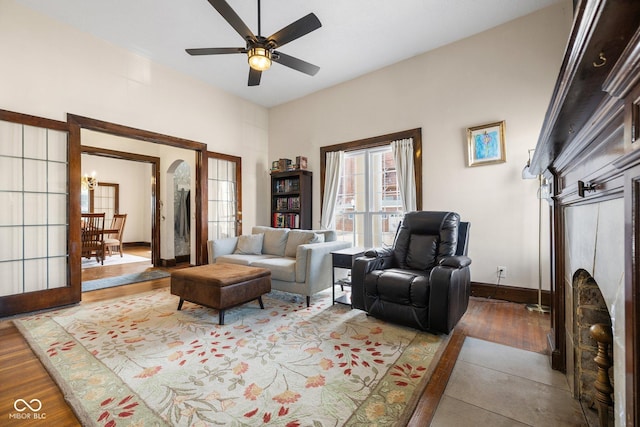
column 299, row 260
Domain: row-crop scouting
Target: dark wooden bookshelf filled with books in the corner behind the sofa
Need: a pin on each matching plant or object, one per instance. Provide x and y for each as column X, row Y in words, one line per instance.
column 291, row 199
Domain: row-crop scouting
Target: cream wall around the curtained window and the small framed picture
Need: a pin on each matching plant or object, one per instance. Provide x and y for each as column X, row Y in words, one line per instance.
column 506, row 73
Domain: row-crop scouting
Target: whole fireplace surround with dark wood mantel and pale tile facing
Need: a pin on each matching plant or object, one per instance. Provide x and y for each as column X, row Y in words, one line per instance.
column 589, row 148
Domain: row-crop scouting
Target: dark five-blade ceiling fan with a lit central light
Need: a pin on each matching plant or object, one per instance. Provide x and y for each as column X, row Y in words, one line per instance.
column 261, row 51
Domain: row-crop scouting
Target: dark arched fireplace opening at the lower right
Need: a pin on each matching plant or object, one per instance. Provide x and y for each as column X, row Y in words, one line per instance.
column 590, row 309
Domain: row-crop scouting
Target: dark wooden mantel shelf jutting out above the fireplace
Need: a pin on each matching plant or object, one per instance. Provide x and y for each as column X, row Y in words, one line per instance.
column 601, row 31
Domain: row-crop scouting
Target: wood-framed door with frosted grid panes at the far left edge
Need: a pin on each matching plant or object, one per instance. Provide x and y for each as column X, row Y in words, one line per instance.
column 36, row 239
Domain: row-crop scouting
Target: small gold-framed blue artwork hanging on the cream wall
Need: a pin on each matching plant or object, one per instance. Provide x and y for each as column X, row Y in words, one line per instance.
column 486, row 145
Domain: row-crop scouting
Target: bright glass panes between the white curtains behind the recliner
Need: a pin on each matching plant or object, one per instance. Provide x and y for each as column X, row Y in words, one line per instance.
column 369, row 207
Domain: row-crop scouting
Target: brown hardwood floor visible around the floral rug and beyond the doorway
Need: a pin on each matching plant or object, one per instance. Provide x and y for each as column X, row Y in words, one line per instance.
column 22, row 376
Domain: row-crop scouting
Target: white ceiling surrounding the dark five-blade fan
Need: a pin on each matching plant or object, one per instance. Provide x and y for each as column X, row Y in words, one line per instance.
column 356, row 37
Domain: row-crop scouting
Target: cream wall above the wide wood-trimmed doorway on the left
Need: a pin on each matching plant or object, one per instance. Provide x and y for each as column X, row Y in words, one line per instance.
column 50, row 69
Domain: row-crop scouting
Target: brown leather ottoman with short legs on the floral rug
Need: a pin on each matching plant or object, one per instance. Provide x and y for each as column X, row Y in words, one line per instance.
column 220, row 286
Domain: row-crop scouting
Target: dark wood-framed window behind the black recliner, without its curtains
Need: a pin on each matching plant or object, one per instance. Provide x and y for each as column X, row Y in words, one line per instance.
column 368, row 208
